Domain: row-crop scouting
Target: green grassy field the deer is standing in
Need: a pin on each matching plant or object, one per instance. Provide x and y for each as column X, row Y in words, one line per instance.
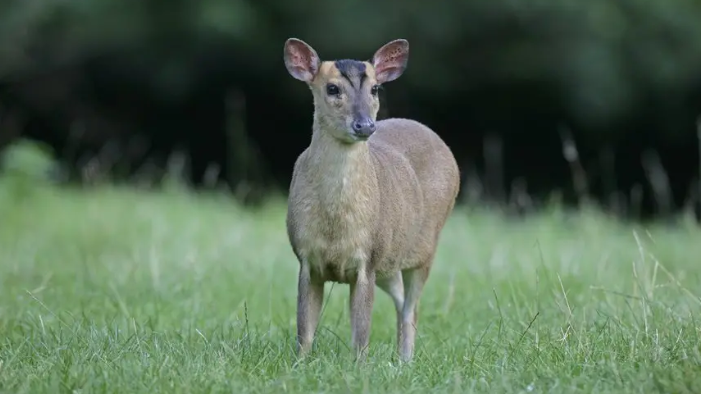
column 130, row 292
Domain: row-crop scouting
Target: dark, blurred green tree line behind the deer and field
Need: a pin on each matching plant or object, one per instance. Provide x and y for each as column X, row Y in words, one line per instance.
column 596, row 97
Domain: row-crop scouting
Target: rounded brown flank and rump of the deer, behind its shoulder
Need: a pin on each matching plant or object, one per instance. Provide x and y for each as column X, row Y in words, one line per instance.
column 418, row 179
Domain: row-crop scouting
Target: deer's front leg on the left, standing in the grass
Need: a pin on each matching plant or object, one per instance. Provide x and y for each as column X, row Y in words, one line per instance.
column 310, row 296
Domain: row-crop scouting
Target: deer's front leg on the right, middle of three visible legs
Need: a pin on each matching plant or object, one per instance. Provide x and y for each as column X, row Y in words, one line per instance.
column 361, row 300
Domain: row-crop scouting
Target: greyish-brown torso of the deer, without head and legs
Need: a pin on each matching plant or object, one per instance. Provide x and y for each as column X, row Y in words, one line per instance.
column 382, row 203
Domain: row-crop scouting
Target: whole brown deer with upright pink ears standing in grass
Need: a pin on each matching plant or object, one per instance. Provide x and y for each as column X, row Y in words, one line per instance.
column 367, row 199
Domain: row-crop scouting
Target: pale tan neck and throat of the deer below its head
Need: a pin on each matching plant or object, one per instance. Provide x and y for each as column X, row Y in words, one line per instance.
column 343, row 173
